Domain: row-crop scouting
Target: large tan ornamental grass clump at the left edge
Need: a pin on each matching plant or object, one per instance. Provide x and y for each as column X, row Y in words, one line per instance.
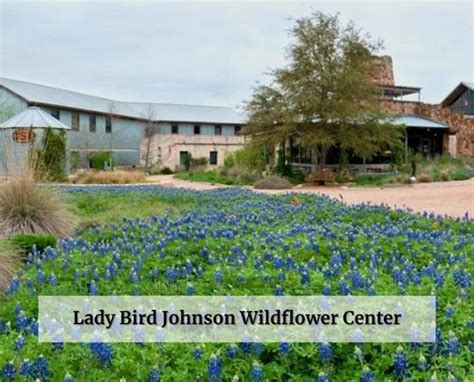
column 27, row 208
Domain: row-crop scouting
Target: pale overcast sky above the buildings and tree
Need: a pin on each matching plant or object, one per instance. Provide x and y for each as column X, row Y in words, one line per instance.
column 214, row 53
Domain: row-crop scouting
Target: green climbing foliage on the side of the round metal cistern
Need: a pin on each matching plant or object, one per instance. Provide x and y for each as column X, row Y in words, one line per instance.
column 52, row 155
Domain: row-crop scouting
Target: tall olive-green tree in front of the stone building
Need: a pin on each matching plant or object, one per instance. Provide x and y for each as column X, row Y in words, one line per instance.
column 325, row 96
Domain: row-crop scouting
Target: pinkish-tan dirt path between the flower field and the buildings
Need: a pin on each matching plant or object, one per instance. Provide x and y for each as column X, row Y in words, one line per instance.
column 451, row 198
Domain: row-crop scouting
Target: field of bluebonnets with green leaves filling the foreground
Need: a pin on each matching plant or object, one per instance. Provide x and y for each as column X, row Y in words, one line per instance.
column 236, row 242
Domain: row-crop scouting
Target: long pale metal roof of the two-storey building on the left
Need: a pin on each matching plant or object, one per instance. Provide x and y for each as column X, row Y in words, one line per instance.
column 51, row 96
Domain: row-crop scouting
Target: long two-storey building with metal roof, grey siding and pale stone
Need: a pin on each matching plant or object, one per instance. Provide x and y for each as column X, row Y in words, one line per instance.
column 100, row 124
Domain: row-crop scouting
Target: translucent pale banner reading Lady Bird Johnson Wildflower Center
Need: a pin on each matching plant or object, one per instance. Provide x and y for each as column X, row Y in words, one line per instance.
column 237, row 319
